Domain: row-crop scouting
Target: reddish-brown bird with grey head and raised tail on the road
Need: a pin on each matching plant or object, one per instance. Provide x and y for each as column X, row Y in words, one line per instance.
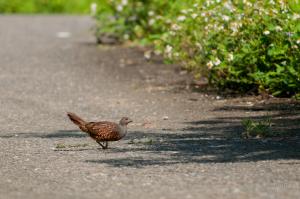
column 103, row 131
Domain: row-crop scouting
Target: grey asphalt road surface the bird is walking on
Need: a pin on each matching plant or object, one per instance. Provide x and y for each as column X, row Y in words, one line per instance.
column 182, row 144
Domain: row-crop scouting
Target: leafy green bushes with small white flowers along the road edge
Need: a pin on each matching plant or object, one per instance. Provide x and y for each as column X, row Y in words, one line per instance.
column 241, row 45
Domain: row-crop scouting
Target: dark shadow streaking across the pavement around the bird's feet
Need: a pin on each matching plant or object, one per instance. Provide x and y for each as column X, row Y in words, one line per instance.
column 216, row 140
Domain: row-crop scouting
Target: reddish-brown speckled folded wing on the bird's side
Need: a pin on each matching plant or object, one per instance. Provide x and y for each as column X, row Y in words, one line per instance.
column 106, row 131
